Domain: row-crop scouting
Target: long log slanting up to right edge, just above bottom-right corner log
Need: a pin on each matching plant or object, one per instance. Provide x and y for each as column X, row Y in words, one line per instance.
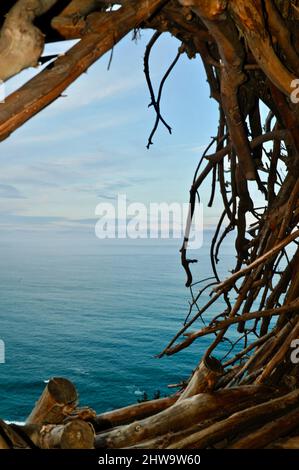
column 238, row 422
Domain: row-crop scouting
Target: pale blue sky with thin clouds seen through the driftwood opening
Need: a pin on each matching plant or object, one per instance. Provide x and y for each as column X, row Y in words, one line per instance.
column 90, row 145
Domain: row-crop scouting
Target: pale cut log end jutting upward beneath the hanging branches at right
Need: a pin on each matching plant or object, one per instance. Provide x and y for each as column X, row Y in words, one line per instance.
column 204, row 378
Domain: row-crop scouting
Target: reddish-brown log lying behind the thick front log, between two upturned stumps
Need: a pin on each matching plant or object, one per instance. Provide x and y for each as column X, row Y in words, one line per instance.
column 131, row 413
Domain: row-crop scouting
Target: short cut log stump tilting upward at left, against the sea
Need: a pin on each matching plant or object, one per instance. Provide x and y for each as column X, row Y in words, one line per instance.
column 57, row 401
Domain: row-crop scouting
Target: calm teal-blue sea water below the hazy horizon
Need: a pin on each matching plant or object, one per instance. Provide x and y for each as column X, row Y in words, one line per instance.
column 96, row 312
